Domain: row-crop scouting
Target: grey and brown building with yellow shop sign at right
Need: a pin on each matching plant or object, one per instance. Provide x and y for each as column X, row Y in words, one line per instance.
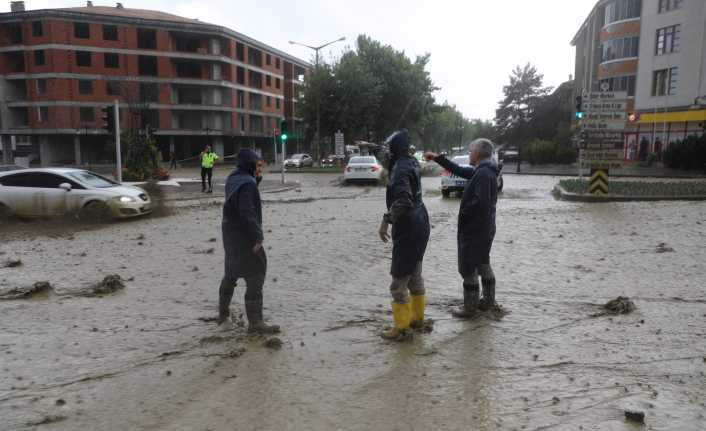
column 655, row 50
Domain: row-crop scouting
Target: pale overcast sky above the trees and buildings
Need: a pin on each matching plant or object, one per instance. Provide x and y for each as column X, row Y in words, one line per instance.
column 474, row 44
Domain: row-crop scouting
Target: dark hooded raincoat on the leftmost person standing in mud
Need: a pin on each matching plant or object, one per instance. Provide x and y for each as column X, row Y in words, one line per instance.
column 242, row 220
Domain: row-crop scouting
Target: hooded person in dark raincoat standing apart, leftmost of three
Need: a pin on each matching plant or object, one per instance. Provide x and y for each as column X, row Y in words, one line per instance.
column 242, row 239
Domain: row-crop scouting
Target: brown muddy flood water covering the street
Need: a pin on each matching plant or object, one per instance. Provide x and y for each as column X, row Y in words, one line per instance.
column 78, row 355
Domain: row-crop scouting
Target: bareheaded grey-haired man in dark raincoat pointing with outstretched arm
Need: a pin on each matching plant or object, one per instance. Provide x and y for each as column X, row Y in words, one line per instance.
column 476, row 224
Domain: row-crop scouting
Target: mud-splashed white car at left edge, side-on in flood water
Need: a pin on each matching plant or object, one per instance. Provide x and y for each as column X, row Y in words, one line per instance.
column 60, row 191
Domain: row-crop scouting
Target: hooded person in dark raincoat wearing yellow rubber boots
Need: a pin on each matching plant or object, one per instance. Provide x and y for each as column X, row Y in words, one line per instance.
column 410, row 233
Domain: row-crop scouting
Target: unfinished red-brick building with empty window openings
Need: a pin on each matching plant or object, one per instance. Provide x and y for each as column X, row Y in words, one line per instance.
column 190, row 83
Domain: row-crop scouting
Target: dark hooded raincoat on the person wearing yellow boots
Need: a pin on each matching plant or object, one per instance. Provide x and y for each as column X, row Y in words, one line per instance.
column 406, row 210
